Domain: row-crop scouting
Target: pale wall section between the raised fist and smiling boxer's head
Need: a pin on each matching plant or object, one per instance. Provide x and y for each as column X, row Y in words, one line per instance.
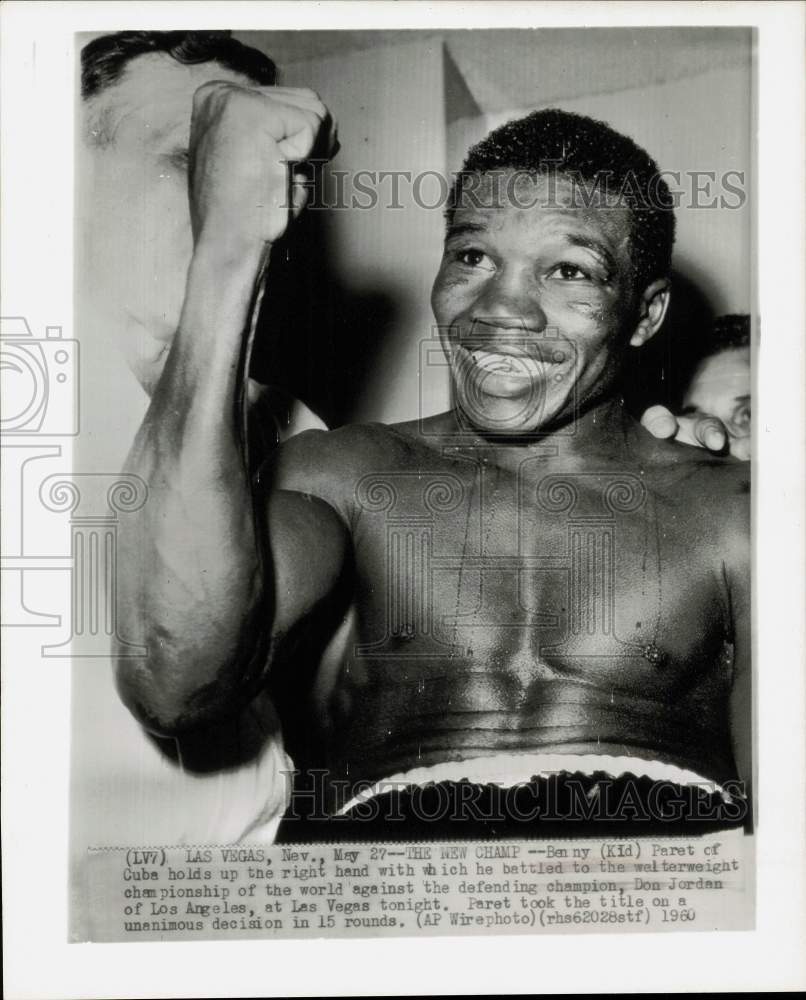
column 391, row 112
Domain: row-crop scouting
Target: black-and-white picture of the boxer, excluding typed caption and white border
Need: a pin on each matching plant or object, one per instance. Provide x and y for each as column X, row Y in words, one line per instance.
column 544, row 570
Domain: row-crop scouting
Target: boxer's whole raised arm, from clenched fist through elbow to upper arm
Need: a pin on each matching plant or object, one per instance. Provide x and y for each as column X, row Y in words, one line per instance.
column 198, row 578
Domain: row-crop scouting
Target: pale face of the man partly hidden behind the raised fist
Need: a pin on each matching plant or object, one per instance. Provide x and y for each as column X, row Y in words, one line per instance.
column 136, row 240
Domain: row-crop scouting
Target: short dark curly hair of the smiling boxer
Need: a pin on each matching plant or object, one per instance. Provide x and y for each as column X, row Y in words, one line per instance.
column 590, row 153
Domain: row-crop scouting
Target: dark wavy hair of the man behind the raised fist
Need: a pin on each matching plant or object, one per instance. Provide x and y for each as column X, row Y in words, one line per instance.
column 104, row 59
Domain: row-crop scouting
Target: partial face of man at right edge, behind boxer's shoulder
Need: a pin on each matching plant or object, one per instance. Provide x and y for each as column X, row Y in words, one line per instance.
column 721, row 388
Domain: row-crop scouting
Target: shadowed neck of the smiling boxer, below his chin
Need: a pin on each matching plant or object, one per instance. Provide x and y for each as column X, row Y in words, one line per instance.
column 600, row 433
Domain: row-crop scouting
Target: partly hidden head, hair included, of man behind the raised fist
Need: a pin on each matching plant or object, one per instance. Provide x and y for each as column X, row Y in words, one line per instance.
column 137, row 97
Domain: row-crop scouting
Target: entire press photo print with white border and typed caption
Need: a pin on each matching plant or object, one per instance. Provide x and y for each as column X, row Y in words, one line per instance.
column 388, row 505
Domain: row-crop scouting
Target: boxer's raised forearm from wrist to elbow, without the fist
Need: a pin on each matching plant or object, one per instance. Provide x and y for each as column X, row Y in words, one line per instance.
column 191, row 582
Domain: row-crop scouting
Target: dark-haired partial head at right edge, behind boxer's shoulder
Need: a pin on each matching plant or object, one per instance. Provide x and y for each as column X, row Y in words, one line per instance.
column 720, row 385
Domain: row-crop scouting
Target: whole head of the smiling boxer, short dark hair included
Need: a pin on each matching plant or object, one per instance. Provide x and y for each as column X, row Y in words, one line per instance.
column 557, row 255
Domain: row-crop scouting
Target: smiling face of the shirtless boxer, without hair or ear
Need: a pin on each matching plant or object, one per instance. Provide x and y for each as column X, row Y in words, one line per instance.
column 534, row 304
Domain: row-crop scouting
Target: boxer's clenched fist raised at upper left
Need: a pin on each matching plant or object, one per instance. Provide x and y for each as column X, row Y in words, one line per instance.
column 245, row 143
